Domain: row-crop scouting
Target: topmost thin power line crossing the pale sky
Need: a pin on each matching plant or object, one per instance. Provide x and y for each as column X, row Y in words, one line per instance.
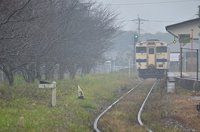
column 145, row 3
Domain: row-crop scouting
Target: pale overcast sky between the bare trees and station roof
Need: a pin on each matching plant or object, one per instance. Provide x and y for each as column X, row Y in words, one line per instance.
column 160, row 13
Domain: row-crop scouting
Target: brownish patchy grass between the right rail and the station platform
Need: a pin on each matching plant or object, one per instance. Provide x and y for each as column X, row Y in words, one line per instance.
column 162, row 107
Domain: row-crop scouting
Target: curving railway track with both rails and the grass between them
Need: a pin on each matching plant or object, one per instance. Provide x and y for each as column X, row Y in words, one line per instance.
column 136, row 98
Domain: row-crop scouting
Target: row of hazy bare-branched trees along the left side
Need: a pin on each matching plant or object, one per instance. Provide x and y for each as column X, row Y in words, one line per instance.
column 43, row 34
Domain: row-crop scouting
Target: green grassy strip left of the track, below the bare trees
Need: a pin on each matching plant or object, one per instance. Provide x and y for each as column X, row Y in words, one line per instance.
column 70, row 114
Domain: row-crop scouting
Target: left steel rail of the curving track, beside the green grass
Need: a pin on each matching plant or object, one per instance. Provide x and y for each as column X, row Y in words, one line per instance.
column 96, row 120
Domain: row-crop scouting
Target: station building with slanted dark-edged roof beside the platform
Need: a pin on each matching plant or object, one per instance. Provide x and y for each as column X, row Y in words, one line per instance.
column 192, row 29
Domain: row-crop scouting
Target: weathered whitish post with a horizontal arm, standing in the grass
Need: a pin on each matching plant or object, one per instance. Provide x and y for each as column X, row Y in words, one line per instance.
column 53, row 87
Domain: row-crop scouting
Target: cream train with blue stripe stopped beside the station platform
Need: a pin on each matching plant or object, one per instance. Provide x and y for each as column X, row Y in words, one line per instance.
column 152, row 59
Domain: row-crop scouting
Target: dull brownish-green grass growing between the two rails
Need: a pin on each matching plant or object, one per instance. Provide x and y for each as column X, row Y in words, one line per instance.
column 123, row 116
